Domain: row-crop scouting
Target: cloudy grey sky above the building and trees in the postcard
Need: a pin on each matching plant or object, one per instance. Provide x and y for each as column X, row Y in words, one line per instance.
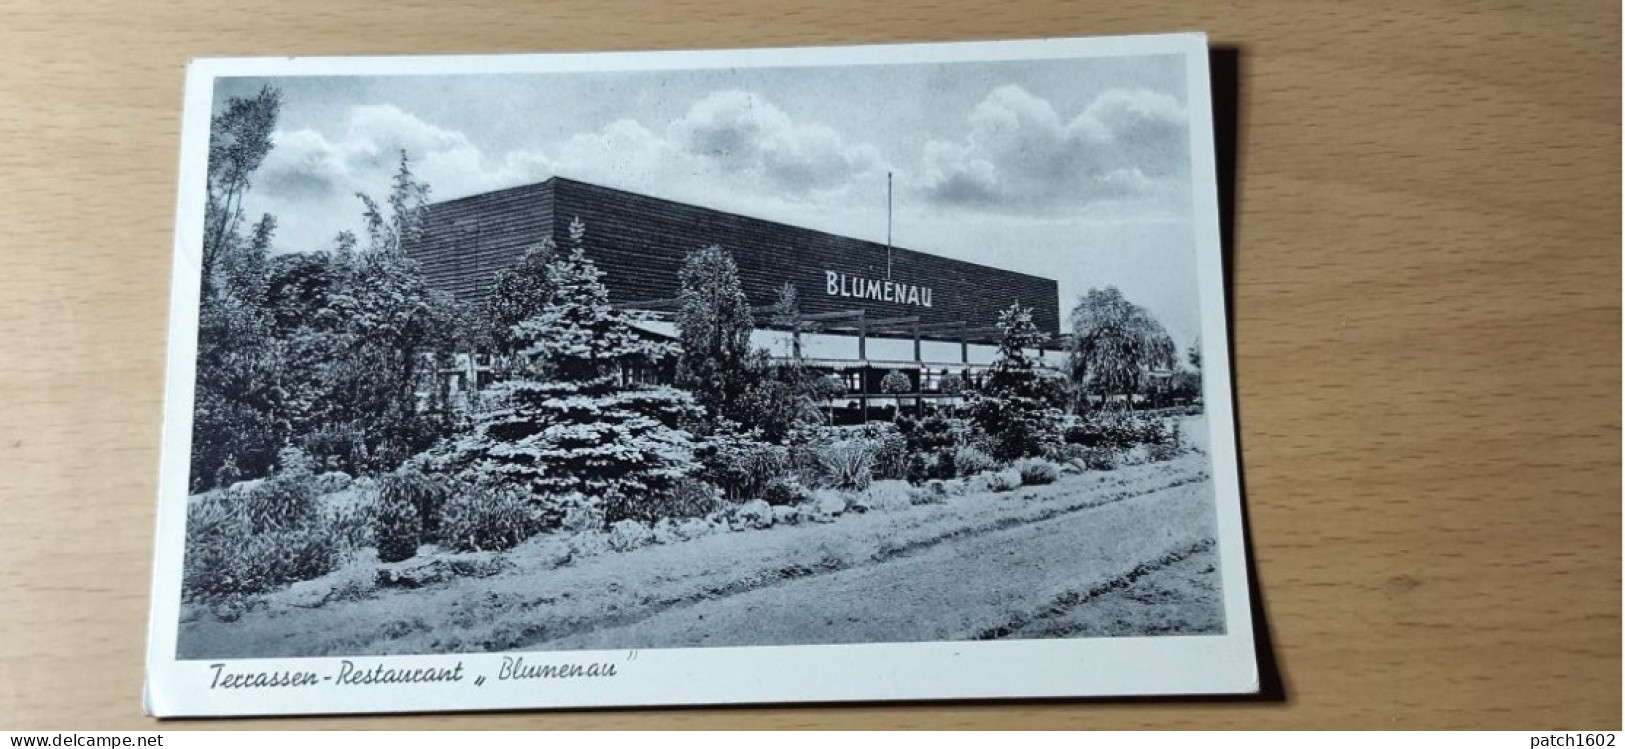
column 1070, row 170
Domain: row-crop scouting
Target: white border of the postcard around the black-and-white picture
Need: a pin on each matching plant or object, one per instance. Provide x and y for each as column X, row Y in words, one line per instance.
column 701, row 677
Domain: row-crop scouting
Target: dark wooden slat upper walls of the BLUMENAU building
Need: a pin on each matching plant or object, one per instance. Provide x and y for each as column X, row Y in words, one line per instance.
column 639, row 243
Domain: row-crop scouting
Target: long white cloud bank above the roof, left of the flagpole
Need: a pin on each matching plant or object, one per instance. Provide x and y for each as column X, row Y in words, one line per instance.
column 735, row 150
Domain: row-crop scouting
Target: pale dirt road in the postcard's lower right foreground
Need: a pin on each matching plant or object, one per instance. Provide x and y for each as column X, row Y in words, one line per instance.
column 986, row 586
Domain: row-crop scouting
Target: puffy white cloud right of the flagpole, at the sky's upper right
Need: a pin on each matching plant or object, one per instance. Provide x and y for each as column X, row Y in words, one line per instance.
column 1021, row 157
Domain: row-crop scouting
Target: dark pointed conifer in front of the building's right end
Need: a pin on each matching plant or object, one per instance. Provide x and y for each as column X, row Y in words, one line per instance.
column 1012, row 407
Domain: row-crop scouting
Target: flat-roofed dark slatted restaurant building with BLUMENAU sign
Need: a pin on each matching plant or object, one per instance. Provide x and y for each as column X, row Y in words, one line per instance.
column 869, row 308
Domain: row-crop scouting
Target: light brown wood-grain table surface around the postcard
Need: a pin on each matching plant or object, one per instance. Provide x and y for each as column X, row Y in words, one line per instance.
column 1426, row 313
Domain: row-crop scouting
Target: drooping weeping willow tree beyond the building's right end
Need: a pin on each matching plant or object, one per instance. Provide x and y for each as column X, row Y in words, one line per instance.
column 1116, row 345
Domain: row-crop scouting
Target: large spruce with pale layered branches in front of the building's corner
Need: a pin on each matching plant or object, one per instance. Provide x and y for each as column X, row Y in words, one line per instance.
column 584, row 426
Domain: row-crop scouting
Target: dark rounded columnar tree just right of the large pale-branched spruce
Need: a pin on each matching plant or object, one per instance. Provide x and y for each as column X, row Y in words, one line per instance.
column 714, row 326
